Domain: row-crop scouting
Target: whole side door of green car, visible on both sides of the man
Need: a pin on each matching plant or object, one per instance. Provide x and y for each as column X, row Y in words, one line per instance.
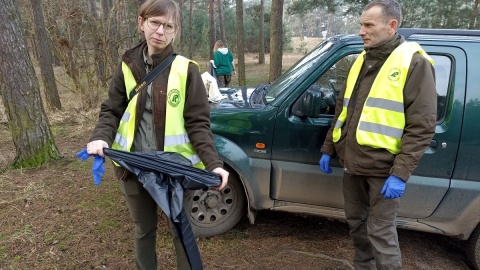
column 297, row 141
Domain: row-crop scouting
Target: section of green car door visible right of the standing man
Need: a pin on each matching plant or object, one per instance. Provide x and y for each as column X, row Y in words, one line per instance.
column 431, row 179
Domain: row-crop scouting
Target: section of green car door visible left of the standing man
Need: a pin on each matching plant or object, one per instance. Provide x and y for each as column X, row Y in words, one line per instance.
column 296, row 176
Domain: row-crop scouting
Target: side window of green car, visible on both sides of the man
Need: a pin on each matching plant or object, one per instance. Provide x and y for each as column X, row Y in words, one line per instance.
column 332, row 81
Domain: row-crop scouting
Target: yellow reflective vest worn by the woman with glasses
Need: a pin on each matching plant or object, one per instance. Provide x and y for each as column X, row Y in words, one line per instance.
column 176, row 138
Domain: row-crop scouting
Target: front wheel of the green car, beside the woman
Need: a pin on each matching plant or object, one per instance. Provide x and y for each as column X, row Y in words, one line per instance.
column 213, row 212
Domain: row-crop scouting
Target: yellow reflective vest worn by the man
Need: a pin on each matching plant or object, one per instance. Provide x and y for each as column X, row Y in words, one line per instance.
column 382, row 120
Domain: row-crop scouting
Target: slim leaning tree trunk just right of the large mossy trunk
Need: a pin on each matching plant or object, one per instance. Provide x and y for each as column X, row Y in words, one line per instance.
column 45, row 58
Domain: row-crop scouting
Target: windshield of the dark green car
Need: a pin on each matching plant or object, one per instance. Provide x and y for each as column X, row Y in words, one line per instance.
column 296, row 71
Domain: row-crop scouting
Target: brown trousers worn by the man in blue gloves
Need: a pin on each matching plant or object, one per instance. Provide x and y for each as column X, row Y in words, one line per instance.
column 372, row 222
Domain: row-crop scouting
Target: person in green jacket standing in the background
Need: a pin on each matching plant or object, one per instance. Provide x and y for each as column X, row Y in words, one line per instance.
column 223, row 64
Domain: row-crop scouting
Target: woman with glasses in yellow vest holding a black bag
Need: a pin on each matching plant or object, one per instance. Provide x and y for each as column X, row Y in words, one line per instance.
column 169, row 114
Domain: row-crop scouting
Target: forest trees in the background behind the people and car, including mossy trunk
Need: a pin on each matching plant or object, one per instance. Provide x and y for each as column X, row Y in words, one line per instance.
column 85, row 39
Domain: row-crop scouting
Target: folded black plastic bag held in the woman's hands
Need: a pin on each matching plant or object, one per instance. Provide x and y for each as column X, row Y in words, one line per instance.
column 165, row 175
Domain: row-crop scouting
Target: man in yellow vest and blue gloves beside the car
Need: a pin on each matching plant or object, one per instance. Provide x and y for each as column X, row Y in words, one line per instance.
column 384, row 120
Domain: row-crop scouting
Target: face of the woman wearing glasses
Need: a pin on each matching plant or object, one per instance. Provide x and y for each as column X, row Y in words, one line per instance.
column 159, row 31
